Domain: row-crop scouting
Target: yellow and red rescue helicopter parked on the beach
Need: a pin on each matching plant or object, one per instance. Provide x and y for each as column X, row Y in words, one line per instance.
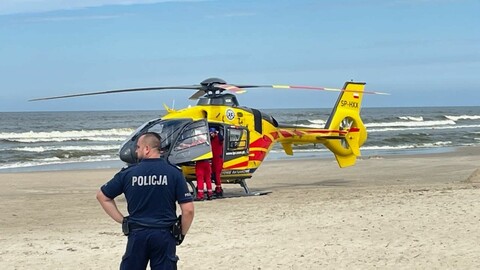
column 249, row 134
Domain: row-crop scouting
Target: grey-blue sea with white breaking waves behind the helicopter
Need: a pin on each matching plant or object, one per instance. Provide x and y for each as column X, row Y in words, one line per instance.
column 43, row 141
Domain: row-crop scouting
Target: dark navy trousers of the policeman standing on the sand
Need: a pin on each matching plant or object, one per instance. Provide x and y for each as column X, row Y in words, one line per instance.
column 154, row 245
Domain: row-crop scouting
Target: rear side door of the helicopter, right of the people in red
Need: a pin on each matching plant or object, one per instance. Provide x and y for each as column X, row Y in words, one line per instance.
column 236, row 147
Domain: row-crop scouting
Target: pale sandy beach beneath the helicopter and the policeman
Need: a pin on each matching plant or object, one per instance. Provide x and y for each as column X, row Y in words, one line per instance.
column 391, row 212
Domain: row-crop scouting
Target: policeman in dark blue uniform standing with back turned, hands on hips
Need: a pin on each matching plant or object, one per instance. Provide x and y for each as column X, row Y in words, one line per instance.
column 151, row 189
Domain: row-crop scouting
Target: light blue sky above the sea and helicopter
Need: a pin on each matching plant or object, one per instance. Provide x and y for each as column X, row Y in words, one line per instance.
column 423, row 52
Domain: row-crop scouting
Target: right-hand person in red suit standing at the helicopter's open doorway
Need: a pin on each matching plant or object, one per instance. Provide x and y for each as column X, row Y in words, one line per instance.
column 216, row 139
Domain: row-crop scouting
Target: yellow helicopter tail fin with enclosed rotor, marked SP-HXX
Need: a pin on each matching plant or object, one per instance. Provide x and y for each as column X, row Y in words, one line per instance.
column 346, row 116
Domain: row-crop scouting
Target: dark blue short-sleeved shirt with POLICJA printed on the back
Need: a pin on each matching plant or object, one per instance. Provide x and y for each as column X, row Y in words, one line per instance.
column 151, row 188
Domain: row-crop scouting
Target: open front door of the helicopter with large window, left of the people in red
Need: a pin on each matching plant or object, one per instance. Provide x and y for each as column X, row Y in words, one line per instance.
column 192, row 144
